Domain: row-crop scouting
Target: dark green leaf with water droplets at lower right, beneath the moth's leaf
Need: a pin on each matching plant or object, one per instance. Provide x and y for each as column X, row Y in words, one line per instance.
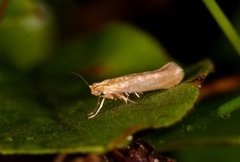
column 203, row 128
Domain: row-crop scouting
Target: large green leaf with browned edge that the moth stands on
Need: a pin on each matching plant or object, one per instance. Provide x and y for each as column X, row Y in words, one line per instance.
column 29, row 125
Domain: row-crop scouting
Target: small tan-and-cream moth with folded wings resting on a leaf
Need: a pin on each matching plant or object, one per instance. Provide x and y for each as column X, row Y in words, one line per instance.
column 166, row 77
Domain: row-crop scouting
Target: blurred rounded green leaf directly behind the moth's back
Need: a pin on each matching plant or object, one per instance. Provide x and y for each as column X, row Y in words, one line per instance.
column 115, row 49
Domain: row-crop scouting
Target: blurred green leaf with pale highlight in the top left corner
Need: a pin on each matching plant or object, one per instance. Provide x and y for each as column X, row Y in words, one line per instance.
column 26, row 34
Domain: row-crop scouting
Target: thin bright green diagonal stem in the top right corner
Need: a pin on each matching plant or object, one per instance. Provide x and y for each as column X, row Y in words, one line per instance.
column 224, row 23
